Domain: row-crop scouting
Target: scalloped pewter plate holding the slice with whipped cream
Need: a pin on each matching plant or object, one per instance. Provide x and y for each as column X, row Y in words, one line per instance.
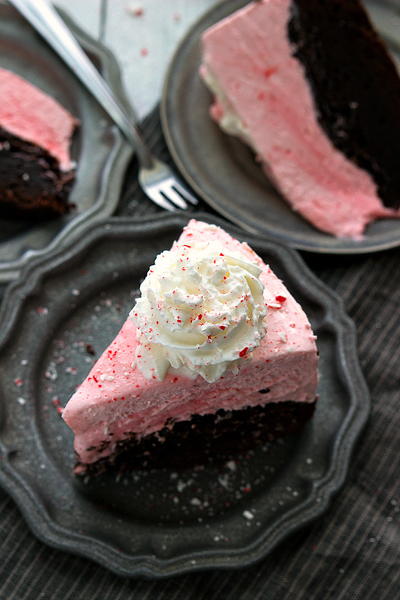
column 160, row 522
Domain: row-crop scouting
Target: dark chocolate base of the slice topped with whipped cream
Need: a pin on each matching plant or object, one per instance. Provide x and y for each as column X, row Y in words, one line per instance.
column 205, row 438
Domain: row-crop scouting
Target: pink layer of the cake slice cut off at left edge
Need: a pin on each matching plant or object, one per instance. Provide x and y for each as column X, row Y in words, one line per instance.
column 29, row 113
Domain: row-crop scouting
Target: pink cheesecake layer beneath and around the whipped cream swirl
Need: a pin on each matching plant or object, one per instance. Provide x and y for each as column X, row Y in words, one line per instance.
column 116, row 400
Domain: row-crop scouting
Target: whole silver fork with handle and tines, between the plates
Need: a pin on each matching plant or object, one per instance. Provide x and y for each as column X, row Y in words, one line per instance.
column 157, row 179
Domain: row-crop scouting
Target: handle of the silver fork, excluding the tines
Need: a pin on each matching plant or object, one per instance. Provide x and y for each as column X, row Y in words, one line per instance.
column 43, row 17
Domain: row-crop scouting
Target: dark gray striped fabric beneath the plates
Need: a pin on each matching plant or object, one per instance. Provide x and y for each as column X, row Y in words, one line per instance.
column 353, row 552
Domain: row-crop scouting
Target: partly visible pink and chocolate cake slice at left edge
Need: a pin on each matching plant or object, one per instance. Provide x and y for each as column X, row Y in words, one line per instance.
column 36, row 172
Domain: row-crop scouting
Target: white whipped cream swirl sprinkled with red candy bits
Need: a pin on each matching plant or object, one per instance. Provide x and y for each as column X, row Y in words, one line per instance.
column 201, row 311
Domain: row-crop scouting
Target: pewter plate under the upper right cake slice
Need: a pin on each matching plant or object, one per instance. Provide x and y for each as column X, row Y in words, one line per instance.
column 223, row 170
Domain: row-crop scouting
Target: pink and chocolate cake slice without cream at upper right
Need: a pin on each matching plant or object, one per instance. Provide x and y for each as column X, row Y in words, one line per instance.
column 311, row 88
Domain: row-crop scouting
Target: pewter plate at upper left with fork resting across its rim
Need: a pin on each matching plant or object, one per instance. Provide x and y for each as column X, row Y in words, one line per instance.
column 100, row 152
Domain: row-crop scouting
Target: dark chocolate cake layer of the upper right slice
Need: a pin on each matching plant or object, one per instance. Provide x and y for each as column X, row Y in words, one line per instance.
column 347, row 67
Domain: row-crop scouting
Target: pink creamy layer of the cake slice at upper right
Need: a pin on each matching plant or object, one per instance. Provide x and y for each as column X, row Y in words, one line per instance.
column 250, row 58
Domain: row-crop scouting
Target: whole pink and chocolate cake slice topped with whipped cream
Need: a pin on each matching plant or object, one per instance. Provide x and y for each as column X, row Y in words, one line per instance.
column 215, row 353
